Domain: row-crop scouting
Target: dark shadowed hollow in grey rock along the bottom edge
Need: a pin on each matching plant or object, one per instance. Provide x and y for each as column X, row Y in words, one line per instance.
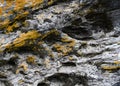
column 64, row 79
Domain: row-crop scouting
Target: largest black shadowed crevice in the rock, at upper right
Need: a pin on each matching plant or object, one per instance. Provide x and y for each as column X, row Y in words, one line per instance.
column 95, row 23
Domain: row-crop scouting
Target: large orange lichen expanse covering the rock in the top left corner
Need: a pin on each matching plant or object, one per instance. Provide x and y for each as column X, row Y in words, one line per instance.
column 18, row 9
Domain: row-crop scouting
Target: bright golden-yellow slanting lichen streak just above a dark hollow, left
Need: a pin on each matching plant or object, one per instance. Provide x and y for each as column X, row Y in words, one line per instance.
column 21, row 40
